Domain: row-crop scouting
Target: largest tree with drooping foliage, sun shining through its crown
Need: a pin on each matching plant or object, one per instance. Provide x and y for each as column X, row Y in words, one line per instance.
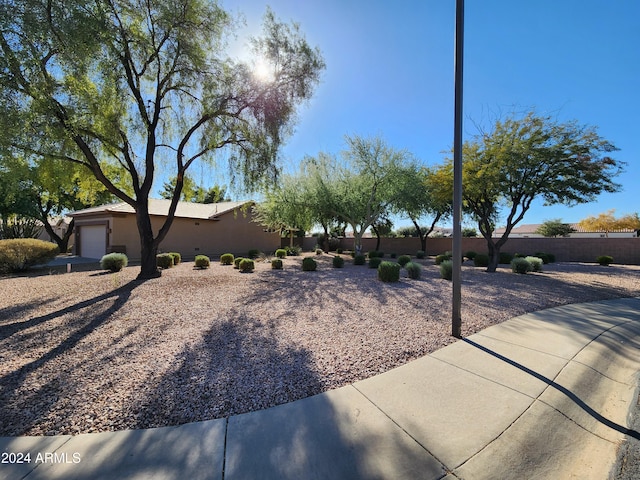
column 132, row 83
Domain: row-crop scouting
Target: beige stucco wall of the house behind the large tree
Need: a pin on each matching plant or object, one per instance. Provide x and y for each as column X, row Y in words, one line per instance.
column 233, row 233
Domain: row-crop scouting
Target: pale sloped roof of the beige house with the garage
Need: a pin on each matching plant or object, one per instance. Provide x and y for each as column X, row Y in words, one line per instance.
column 159, row 207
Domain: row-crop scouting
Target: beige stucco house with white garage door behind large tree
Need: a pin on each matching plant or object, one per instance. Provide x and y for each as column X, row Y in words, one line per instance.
column 208, row 229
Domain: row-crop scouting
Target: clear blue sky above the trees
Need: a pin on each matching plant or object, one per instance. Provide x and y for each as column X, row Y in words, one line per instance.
column 390, row 73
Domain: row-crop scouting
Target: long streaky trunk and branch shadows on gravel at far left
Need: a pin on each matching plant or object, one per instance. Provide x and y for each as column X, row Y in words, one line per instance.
column 22, row 405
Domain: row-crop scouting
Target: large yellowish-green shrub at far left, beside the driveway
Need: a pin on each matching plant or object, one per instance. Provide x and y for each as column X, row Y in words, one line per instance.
column 19, row 254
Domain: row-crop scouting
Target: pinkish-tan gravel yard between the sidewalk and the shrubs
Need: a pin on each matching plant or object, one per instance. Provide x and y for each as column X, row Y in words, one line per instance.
column 90, row 351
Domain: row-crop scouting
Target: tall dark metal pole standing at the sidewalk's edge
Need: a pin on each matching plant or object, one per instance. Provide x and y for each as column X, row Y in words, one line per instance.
column 456, row 319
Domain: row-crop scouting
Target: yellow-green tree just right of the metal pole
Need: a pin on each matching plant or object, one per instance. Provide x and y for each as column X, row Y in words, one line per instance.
column 531, row 157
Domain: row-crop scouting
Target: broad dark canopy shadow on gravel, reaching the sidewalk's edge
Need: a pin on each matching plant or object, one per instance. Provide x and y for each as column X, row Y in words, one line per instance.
column 237, row 366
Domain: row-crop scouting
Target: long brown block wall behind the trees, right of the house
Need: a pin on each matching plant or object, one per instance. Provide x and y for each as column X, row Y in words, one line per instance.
column 623, row 250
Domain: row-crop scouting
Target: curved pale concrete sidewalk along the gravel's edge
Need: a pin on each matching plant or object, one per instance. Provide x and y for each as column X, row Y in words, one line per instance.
column 545, row 395
